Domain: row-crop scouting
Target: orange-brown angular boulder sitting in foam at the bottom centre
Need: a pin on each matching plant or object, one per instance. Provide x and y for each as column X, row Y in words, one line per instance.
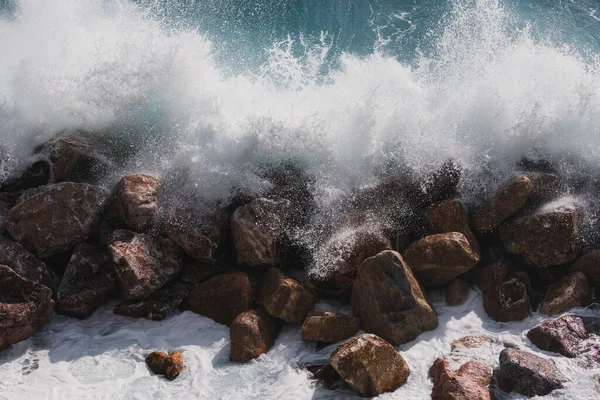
column 370, row 365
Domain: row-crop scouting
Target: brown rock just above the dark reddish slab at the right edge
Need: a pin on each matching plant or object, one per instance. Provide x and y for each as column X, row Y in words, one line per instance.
column 571, row 291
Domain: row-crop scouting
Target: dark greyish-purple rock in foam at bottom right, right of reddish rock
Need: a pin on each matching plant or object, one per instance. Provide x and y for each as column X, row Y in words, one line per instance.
column 528, row 374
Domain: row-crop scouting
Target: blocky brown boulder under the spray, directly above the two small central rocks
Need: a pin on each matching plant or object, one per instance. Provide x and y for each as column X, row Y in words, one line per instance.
column 258, row 228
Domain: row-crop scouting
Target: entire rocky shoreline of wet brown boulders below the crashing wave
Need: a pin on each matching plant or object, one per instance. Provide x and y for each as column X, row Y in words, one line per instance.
column 70, row 244
